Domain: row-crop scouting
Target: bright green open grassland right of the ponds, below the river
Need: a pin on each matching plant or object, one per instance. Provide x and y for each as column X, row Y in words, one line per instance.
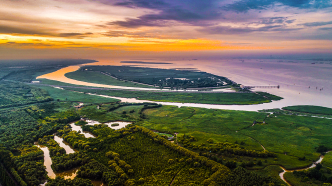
column 283, row 134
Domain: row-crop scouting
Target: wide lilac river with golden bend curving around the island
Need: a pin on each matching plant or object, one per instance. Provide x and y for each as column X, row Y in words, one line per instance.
column 294, row 77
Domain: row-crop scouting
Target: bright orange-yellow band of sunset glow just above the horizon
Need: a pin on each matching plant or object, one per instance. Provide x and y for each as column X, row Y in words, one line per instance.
column 127, row 44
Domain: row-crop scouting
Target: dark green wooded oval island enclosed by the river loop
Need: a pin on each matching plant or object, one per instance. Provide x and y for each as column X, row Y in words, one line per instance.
column 174, row 79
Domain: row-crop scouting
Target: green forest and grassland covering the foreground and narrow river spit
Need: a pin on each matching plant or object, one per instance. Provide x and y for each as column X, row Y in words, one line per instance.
column 212, row 147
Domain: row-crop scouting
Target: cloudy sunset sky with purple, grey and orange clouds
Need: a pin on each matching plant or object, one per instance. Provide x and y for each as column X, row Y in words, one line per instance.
column 136, row 28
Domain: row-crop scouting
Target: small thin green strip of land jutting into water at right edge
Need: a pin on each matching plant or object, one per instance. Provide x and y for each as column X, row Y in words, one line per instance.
column 310, row 109
